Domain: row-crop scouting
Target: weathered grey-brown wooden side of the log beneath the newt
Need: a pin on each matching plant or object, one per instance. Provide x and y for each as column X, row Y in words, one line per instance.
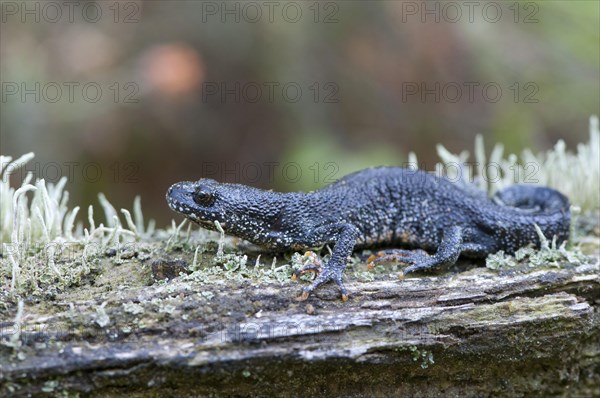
column 472, row 333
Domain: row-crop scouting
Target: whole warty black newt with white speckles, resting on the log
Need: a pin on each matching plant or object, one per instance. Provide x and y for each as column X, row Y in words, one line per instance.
column 384, row 206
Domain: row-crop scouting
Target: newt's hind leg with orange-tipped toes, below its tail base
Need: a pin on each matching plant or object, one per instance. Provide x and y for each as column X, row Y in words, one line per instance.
column 447, row 253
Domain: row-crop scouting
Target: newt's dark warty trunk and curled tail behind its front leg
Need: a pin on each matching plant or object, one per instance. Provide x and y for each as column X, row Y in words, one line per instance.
column 393, row 205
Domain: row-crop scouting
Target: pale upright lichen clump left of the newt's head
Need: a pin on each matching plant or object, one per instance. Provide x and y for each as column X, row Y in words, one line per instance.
column 41, row 251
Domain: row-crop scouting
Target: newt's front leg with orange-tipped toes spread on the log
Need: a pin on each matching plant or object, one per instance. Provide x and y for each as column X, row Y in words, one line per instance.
column 344, row 237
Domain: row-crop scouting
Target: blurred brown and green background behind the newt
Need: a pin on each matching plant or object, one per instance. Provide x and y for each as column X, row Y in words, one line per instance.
column 129, row 97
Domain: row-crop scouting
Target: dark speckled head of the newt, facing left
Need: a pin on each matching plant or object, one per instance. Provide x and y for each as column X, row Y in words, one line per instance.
column 242, row 211
